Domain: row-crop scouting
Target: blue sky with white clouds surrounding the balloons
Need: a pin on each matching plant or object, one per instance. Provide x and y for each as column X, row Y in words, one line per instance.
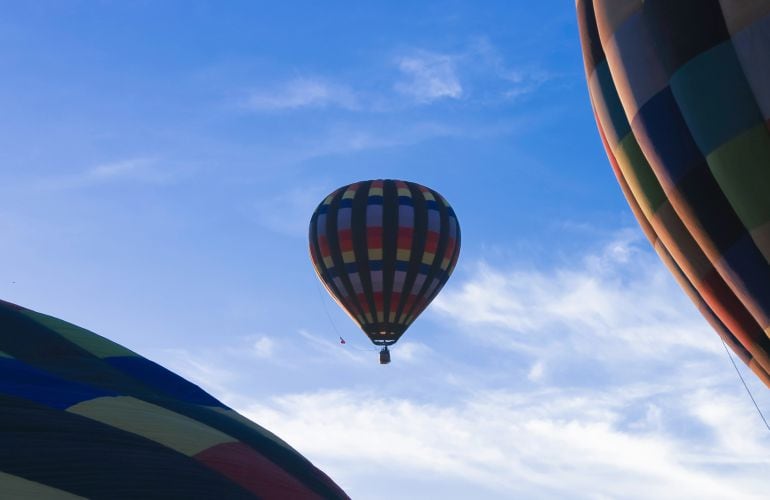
column 159, row 163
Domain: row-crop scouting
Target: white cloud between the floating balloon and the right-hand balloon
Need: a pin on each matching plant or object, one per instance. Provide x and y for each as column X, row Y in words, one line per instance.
column 620, row 301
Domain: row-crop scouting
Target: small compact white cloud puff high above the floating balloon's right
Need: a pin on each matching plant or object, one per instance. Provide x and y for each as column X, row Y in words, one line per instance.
column 429, row 77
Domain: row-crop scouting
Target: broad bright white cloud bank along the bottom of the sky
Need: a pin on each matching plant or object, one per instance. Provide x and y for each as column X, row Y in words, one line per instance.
column 542, row 444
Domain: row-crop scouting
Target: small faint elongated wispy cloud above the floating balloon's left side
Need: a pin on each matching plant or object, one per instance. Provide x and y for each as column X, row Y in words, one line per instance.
column 304, row 92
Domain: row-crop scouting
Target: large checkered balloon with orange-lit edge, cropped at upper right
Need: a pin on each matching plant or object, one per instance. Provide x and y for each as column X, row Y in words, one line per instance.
column 681, row 94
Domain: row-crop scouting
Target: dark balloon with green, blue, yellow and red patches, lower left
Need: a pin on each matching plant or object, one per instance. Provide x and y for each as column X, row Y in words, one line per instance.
column 83, row 417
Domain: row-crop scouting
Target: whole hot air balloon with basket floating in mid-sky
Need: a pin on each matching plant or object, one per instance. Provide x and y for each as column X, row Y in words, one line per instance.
column 384, row 249
